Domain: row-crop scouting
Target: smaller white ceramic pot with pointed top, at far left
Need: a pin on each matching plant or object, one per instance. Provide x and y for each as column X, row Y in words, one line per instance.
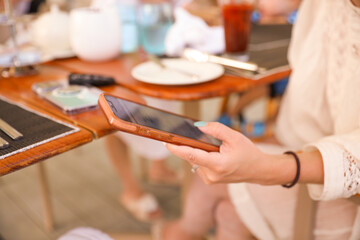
column 50, row 31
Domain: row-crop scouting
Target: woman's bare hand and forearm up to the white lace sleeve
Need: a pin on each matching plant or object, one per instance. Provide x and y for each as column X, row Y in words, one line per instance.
column 239, row 160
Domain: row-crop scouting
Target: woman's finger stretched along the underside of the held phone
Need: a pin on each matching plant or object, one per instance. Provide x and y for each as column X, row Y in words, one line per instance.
column 193, row 155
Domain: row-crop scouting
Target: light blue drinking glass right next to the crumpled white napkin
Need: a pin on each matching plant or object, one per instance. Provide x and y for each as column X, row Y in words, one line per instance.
column 154, row 20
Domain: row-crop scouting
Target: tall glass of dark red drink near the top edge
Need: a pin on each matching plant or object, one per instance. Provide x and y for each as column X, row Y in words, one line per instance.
column 237, row 25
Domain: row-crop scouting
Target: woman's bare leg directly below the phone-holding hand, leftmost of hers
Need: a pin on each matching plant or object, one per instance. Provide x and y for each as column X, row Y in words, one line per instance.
column 199, row 212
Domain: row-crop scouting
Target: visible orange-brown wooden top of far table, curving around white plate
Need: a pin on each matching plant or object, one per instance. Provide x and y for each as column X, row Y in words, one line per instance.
column 120, row 69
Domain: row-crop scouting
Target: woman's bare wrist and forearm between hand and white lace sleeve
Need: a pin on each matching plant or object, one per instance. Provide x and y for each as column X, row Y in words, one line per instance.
column 281, row 169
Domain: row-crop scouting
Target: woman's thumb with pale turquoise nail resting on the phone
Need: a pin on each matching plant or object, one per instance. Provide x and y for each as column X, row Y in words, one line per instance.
column 219, row 131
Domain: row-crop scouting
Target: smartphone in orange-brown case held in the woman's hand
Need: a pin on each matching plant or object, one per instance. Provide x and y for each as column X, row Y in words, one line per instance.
column 146, row 121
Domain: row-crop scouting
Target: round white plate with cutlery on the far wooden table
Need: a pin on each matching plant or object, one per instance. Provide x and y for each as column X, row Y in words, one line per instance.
column 151, row 72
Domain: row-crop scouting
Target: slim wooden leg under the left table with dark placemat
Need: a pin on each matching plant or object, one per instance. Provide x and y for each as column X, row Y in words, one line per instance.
column 45, row 195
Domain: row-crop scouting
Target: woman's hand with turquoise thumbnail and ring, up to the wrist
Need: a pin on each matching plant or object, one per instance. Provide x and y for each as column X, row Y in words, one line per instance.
column 238, row 159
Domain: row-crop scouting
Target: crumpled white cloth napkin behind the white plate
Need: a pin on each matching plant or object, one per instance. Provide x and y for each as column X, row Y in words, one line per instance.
column 191, row 31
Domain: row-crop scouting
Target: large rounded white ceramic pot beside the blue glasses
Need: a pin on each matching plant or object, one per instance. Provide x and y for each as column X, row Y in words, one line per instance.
column 95, row 34
